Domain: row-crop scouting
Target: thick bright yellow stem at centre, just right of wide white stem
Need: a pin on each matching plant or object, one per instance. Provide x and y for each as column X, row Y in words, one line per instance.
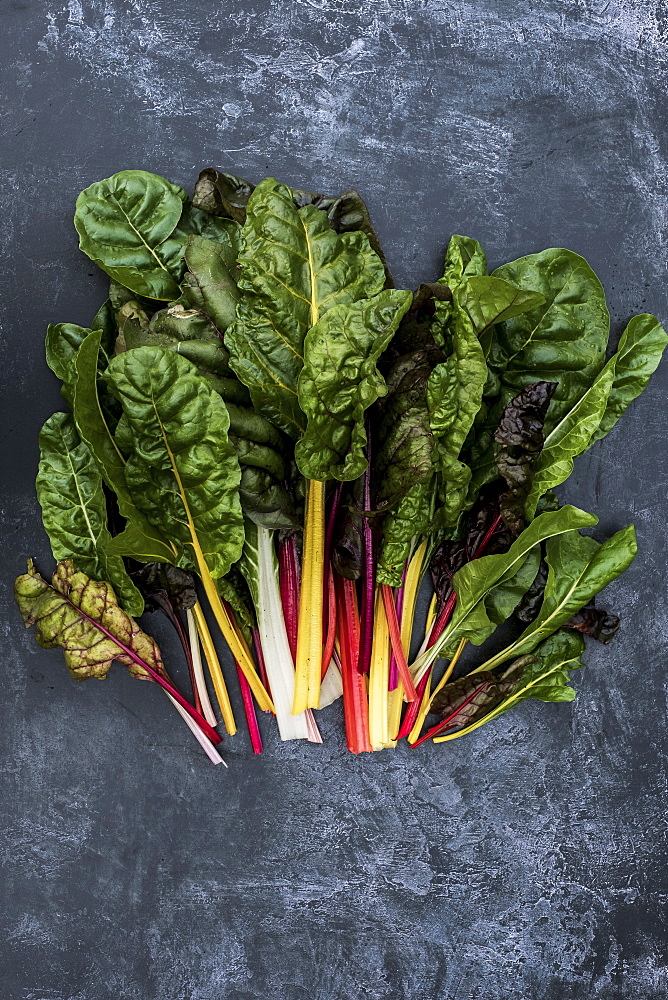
column 309, row 634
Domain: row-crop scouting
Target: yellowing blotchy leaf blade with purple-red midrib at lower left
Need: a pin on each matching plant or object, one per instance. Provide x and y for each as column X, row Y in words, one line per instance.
column 83, row 617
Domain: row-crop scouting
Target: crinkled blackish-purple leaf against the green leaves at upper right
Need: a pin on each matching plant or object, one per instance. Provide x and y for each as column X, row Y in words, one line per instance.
column 519, row 439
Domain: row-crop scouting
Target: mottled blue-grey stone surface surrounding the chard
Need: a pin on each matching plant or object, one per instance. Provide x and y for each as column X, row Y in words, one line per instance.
column 526, row 861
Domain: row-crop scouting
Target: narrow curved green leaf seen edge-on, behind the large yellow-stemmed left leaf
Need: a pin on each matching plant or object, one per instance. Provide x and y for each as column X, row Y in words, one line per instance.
column 140, row 539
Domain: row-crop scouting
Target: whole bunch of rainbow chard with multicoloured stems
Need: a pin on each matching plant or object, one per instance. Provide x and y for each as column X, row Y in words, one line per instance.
column 263, row 428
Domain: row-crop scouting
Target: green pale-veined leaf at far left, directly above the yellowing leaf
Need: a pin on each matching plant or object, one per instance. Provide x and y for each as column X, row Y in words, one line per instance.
column 74, row 510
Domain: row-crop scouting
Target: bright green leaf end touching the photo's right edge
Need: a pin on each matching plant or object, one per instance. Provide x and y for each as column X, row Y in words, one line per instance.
column 637, row 358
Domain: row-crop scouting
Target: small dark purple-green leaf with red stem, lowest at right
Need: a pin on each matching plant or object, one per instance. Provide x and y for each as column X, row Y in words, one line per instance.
column 470, row 698
